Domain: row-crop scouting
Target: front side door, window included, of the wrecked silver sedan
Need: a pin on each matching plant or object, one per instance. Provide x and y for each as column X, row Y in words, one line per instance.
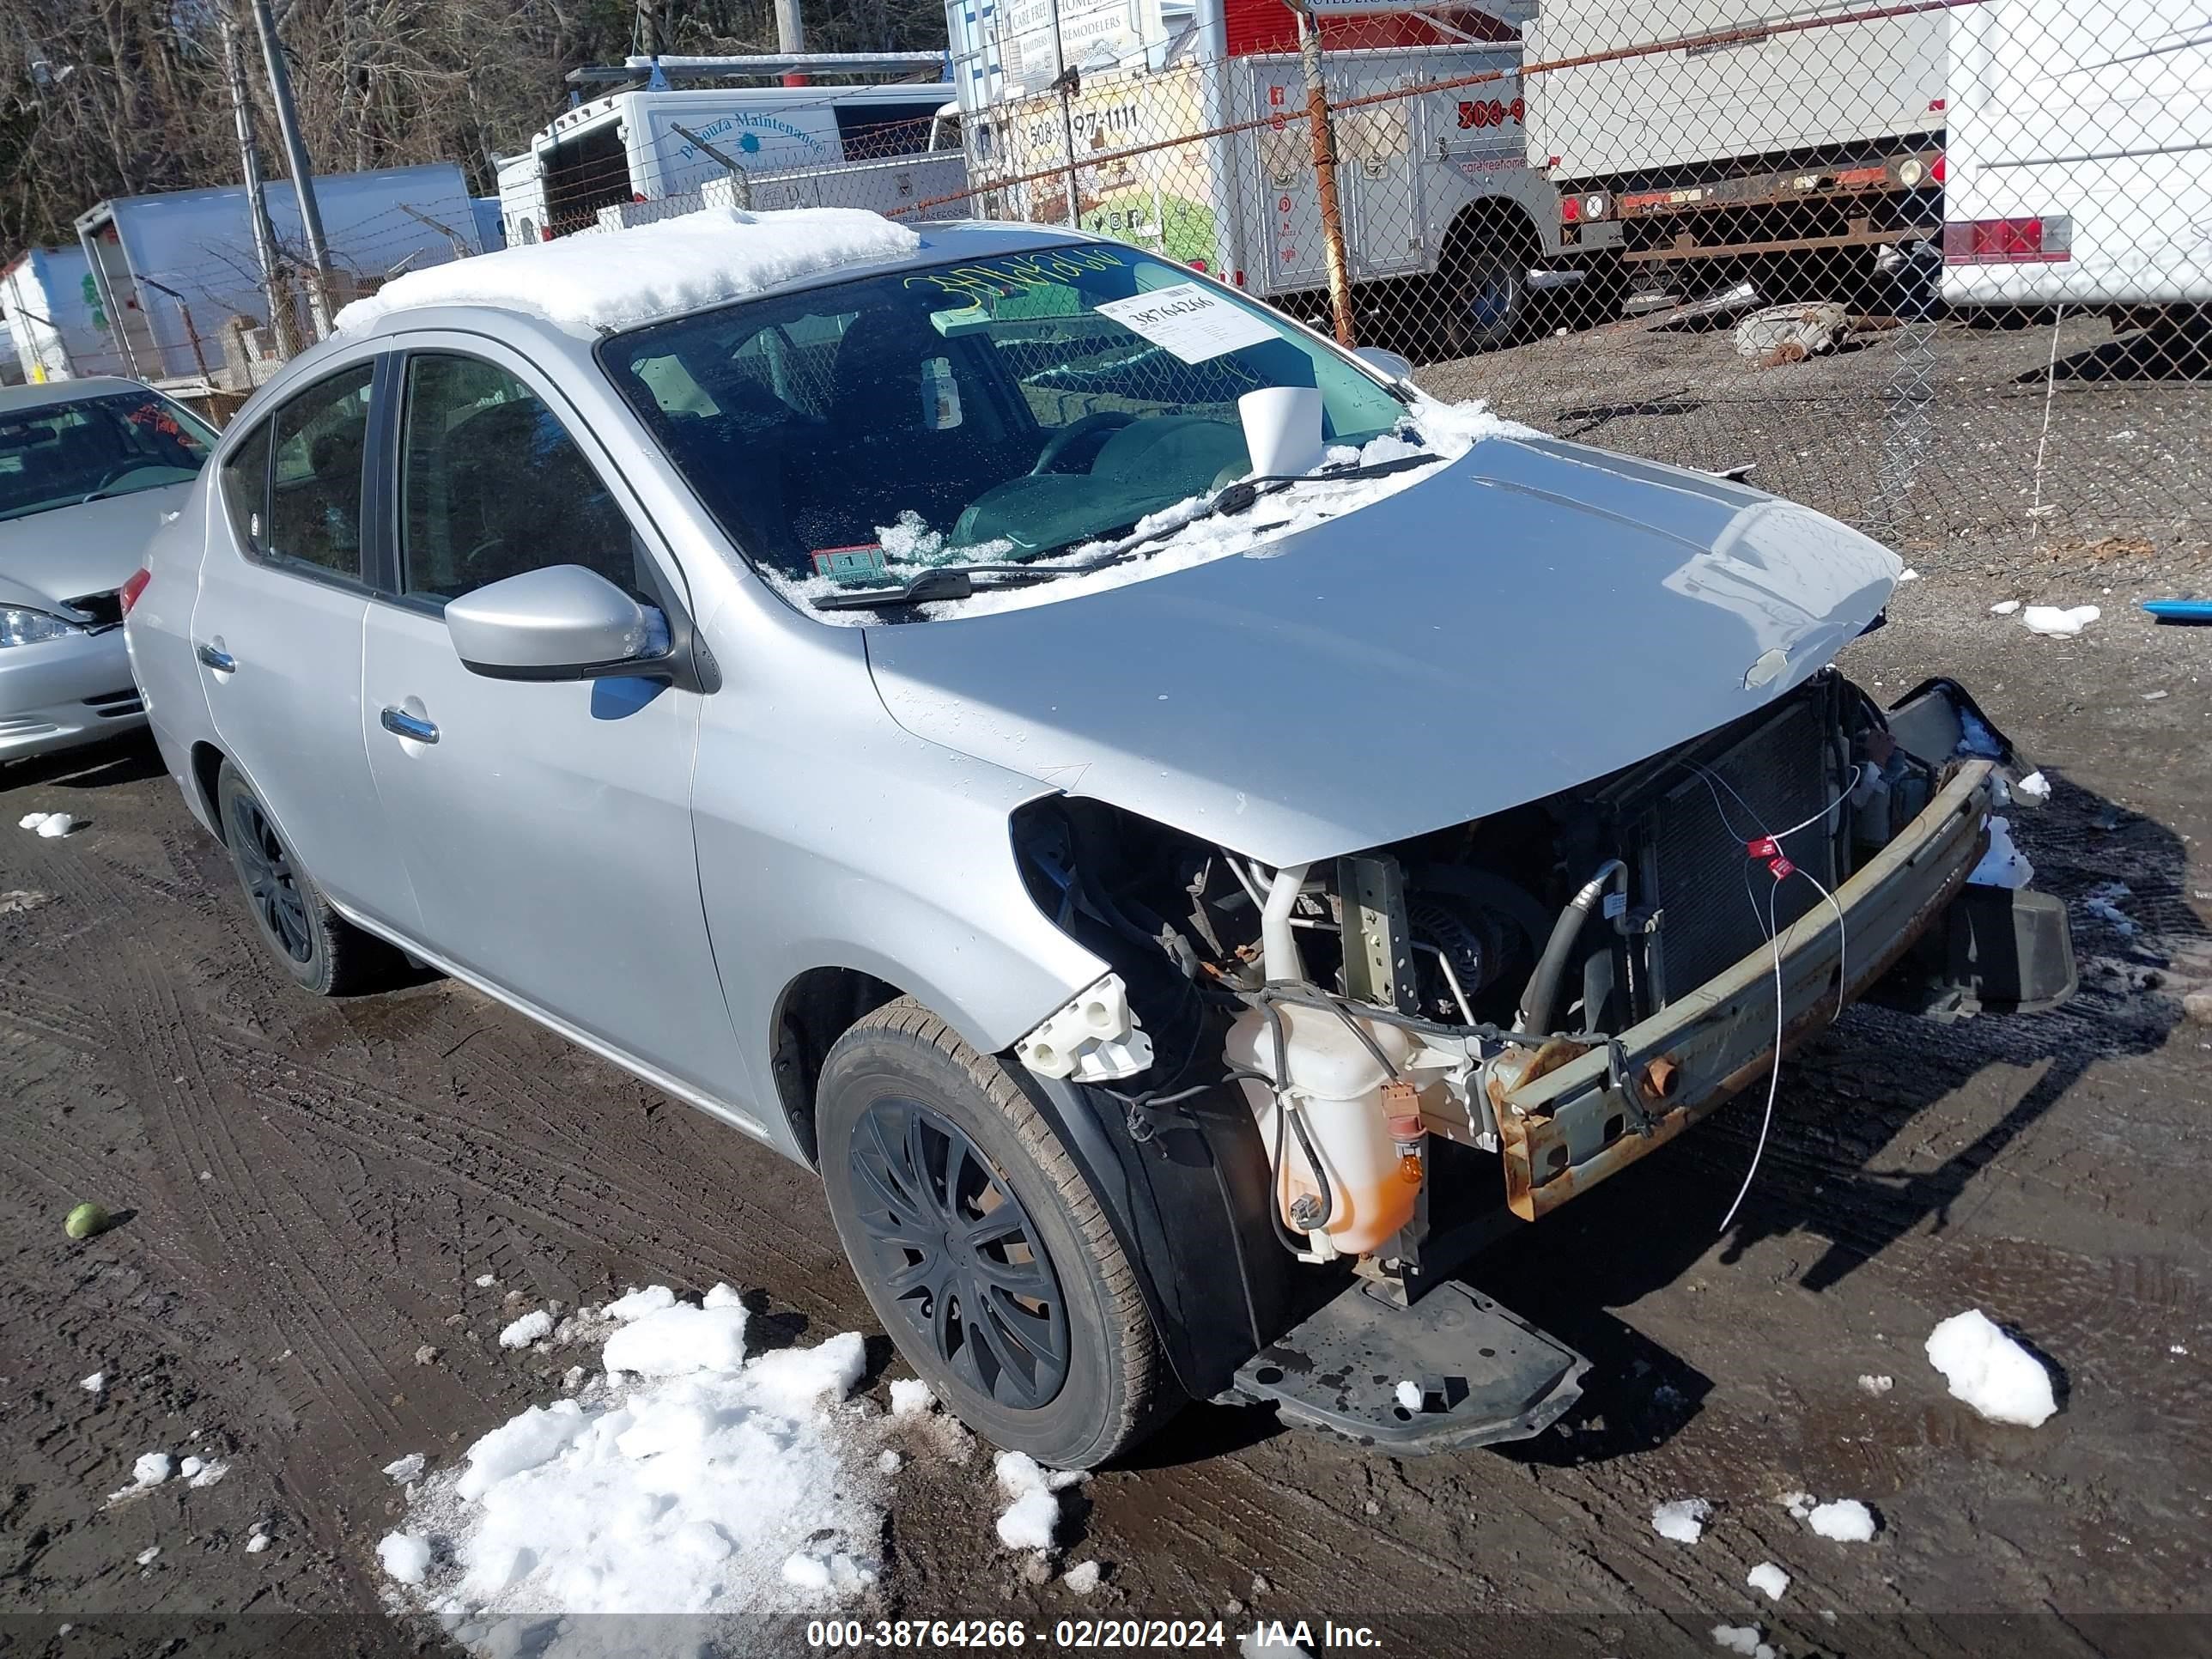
column 545, row 824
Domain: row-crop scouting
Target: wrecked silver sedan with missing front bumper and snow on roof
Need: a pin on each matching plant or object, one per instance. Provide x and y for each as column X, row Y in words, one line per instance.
column 1187, row 835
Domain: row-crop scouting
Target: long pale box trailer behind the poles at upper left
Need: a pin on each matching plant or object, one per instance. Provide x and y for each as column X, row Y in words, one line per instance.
column 171, row 269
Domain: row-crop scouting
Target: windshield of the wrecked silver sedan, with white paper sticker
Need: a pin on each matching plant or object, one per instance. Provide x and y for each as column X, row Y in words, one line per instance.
column 988, row 413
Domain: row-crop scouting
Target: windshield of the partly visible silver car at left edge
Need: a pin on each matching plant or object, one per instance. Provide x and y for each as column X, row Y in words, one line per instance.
column 87, row 448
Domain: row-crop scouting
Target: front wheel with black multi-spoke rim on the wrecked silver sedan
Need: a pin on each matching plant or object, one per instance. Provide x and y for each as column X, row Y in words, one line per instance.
column 981, row 1145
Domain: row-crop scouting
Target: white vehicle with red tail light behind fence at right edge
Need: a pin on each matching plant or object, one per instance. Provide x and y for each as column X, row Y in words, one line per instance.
column 2080, row 160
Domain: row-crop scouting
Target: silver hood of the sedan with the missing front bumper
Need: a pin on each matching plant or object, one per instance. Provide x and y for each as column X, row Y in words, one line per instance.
column 1523, row 620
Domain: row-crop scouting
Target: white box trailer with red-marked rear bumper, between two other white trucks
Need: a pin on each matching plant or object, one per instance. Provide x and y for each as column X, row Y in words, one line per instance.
column 1791, row 145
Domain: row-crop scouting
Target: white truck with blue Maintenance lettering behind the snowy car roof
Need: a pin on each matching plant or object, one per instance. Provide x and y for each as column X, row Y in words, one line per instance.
column 647, row 145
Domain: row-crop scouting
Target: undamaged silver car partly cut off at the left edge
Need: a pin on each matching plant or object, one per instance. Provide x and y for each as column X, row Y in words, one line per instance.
column 87, row 468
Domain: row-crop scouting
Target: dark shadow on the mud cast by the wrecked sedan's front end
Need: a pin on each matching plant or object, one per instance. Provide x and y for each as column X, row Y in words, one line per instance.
column 1844, row 1165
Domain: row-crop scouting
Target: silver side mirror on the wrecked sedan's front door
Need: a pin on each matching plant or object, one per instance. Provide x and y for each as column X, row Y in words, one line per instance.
column 561, row 623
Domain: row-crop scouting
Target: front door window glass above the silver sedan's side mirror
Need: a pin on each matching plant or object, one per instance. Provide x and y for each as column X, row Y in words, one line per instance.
column 492, row 486
